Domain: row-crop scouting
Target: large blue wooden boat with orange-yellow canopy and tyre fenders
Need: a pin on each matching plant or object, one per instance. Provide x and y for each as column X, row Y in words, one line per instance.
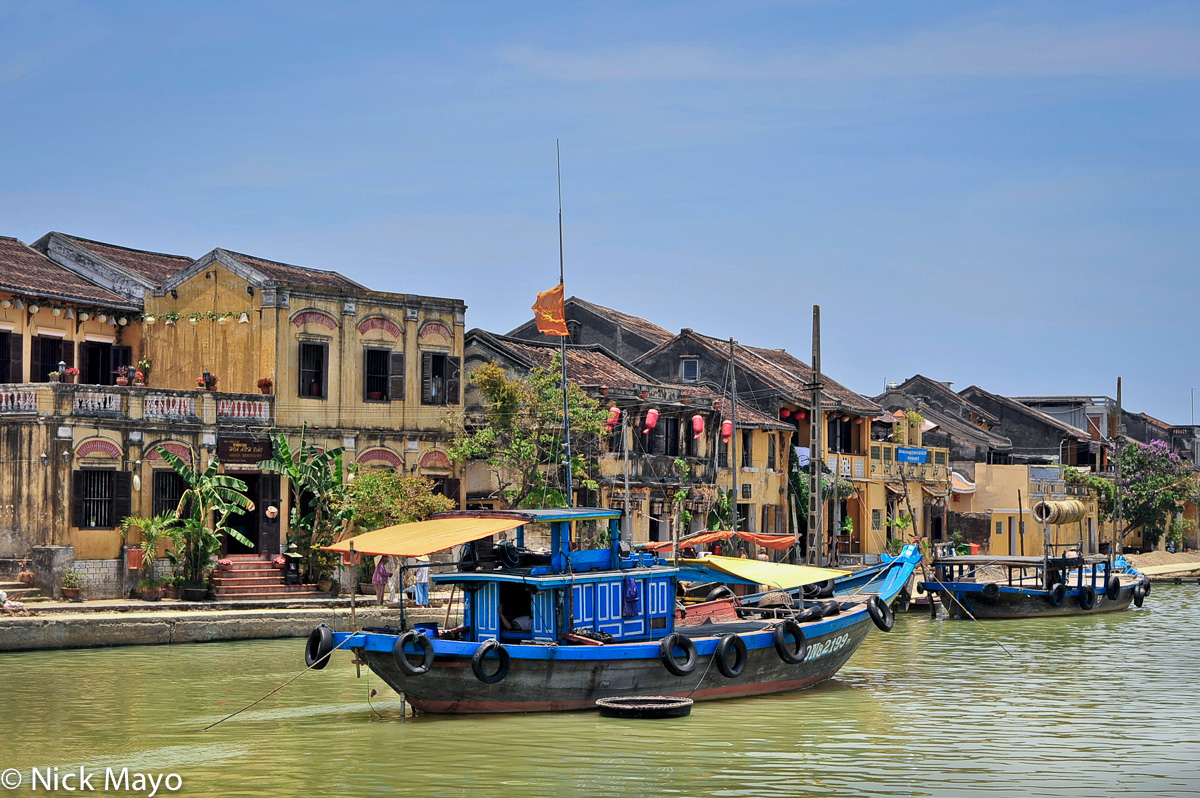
column 603, row 623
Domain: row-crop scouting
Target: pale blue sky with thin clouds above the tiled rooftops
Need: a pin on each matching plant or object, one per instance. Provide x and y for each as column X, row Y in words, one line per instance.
column 992, row 194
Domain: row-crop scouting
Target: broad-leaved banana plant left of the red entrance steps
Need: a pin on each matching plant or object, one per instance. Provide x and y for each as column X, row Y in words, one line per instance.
column 209, row 497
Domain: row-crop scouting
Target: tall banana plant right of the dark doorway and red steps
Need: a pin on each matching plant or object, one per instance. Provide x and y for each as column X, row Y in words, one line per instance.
column 315, row 481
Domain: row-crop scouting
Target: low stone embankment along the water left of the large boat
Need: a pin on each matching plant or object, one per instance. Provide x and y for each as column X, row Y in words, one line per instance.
column 139, row 623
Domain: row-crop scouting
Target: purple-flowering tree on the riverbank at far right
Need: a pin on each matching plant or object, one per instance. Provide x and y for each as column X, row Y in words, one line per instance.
column 1155, row 484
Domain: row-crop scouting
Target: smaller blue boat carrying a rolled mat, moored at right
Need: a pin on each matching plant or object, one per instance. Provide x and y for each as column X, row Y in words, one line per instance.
column 1019, row 587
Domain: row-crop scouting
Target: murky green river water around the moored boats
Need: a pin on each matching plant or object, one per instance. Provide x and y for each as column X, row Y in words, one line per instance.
column 1101, row 706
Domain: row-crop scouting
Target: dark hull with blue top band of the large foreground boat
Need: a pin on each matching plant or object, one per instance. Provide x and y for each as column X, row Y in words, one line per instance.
column 562, row 679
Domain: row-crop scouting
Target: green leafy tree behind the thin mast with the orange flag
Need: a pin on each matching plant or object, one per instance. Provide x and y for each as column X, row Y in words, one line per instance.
column 521, row 436
